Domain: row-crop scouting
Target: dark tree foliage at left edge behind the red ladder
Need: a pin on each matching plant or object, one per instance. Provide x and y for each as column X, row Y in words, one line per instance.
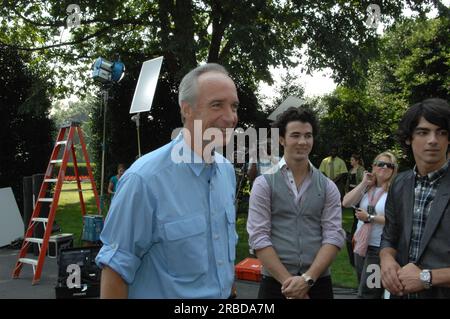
column 25, row 130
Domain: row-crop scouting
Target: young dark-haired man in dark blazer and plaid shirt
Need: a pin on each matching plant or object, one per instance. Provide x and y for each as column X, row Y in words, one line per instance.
column 415, row 254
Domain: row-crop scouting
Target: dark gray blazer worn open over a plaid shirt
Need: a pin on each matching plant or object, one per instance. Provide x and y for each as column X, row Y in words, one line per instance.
column 435, row 244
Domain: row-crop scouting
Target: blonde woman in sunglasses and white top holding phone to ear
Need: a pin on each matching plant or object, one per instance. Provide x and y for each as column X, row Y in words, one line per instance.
column 368, row 199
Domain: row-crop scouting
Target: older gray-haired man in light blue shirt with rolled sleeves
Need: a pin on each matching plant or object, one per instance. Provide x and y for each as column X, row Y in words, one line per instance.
column 170, row 231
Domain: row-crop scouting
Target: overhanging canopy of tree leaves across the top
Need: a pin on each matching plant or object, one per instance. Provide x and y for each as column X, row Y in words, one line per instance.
column 246, row 36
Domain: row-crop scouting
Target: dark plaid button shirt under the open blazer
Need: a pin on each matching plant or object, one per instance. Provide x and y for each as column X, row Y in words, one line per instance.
column 424, row 192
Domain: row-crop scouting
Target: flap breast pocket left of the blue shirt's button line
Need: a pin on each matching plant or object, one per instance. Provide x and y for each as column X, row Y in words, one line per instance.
column 186, row 247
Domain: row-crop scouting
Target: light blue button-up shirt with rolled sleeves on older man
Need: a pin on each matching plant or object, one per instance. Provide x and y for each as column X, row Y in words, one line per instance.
column 170, row 231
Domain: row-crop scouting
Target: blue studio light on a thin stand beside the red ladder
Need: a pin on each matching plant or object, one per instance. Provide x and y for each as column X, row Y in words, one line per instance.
column 107, row 73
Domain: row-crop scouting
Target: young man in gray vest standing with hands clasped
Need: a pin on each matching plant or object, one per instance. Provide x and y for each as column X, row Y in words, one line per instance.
column 295, row 219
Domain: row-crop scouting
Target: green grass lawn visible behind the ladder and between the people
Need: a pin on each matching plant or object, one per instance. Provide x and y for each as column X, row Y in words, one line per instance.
column 69, row 218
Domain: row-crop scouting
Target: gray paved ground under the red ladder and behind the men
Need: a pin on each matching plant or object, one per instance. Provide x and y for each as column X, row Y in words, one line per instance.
column 23, row 289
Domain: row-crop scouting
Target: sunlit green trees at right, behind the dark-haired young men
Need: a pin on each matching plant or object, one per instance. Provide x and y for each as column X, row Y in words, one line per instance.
column 413, row 65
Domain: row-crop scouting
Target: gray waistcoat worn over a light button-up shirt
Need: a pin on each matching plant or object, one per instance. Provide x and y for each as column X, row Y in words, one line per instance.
column 296, row 232
